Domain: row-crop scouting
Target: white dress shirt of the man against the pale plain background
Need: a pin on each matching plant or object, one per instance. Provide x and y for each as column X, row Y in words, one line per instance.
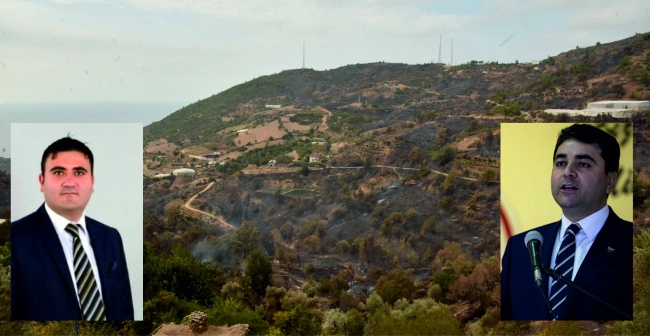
column 66, row 239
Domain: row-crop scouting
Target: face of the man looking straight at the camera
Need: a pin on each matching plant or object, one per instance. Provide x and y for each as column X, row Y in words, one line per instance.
column 67, row 183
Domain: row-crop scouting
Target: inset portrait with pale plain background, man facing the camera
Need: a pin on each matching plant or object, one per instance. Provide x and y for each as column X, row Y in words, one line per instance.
column 76, row 226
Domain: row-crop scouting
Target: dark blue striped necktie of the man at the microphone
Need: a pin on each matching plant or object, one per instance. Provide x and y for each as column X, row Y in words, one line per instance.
column 564, row 265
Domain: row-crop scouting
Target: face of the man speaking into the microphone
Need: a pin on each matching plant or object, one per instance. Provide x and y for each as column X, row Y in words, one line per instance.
column 578, row 182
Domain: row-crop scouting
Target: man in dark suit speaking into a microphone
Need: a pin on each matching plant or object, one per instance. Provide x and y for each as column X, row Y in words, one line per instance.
column 591, row 245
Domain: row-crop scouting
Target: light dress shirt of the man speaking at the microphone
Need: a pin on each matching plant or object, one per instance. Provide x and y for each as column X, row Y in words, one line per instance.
column 591, row 226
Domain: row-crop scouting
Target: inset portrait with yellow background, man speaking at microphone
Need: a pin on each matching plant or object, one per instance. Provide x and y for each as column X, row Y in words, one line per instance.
column 566, row 212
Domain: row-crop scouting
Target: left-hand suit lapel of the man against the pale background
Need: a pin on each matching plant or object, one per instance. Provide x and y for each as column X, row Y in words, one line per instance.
column 50, row 239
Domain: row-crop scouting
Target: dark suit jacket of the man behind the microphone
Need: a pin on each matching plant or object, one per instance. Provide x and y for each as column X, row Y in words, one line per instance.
column 605, row 272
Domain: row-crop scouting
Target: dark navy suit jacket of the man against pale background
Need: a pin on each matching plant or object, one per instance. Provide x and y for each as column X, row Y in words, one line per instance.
column 41, row 284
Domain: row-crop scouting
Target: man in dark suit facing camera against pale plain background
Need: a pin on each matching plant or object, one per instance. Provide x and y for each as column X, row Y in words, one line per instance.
column 64, row 265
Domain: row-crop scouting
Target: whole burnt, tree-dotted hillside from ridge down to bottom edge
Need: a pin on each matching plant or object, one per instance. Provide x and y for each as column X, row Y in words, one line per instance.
column 370, row 178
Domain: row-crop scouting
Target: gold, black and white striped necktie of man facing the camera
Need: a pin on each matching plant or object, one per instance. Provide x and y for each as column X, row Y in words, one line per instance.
column 92, row 307
